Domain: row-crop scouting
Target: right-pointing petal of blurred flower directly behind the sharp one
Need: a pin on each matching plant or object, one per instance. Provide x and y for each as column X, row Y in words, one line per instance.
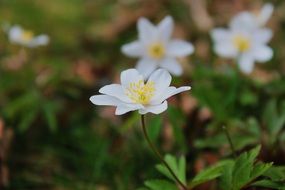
column 179, row 48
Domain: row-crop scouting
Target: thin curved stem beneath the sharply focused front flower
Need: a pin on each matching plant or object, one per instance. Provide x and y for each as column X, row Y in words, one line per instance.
column 154, row 149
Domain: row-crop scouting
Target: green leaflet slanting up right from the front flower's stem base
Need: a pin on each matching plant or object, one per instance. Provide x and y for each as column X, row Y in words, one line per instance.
column 209, row 173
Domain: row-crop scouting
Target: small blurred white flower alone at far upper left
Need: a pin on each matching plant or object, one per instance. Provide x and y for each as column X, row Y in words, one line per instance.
column 26, row 38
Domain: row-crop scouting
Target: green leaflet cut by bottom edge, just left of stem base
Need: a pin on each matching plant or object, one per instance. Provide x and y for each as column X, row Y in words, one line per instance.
column 157, row 184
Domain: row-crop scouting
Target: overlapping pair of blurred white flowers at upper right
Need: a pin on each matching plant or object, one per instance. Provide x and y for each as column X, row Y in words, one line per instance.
column 246, row 39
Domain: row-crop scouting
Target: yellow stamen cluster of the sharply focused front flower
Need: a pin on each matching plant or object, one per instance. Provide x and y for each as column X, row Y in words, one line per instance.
column 140, row 93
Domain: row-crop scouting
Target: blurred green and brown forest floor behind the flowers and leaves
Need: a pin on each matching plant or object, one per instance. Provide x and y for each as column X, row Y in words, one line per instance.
column 52, row 137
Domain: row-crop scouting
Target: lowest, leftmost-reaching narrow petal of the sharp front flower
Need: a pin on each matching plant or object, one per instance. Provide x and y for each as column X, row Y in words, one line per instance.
column 104, row 100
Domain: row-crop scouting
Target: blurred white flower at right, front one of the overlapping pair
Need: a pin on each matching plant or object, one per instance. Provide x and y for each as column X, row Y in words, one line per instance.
column 245, row 46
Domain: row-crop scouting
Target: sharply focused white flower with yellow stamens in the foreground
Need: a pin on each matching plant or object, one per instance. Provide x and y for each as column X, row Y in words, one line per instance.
column 135, row 94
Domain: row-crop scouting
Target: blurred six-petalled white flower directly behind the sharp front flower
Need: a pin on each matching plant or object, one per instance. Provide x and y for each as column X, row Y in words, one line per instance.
column 155, row 48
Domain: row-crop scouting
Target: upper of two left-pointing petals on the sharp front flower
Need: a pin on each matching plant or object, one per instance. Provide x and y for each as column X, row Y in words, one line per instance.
column 116, row 91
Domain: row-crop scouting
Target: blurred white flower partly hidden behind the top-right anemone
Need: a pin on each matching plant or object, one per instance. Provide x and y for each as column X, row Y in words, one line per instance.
column 253, row 19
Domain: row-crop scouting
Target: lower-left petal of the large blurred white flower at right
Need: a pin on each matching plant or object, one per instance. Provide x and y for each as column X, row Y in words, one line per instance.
column 225, row 49
